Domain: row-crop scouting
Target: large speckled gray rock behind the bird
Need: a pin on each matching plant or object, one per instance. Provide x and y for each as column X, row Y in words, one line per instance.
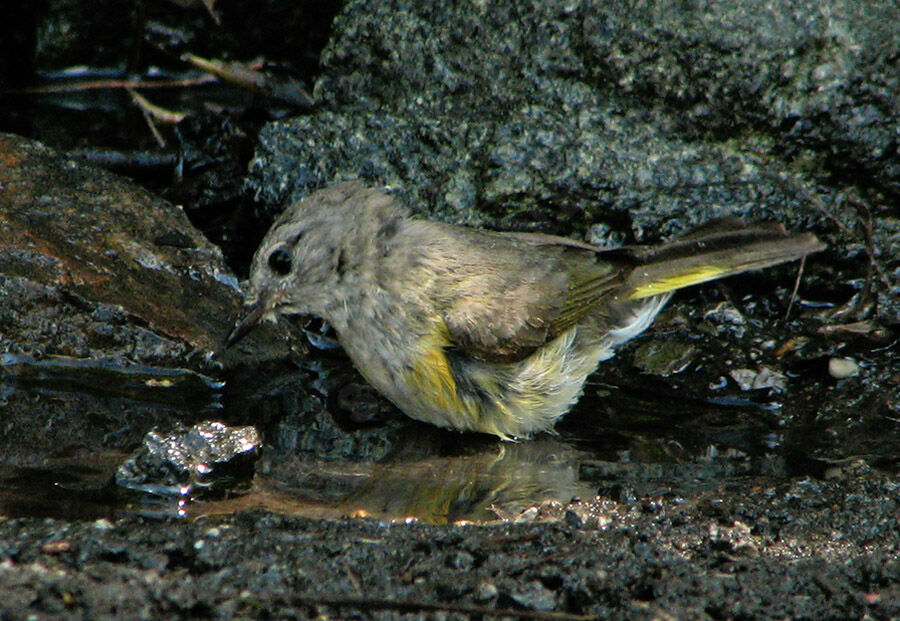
column 582, row 108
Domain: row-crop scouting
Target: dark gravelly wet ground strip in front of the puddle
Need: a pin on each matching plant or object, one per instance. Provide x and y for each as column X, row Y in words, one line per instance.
column 747, row 547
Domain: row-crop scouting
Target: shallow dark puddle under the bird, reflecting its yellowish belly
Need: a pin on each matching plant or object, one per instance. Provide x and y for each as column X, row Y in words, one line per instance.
column 63, row 445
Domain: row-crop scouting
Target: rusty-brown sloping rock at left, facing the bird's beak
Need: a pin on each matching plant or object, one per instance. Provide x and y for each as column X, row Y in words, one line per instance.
column 91, row 266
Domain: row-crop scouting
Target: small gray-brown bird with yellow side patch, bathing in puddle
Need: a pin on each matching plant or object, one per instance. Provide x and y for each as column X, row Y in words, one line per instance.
column 477, row 330
